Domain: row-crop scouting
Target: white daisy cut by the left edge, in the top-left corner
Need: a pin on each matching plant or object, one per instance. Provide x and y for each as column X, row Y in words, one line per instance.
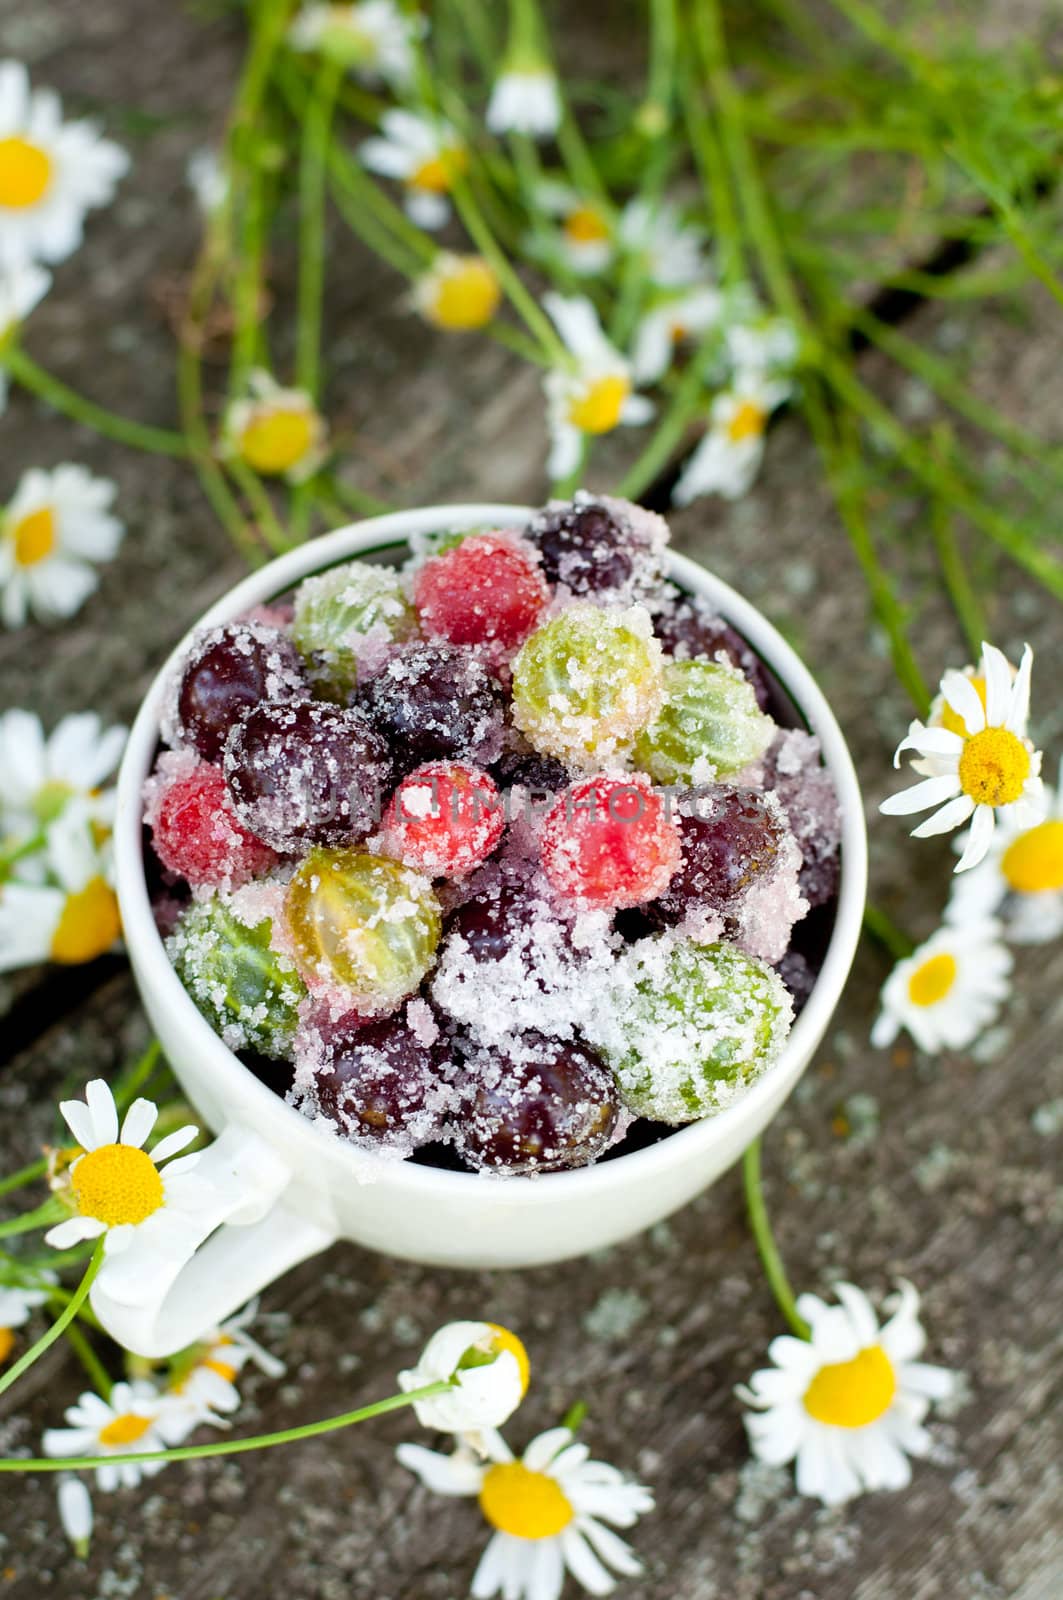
column 52, row 172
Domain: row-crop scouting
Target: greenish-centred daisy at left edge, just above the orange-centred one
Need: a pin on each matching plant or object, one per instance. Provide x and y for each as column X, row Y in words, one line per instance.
column 42, row 775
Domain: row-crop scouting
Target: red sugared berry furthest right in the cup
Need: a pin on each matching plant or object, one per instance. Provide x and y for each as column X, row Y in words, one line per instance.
column 611, row 842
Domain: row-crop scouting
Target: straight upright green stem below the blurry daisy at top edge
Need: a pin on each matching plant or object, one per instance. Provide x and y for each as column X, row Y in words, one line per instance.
column 313, row 190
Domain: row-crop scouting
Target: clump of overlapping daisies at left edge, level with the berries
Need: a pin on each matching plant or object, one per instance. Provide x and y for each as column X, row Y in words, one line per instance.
column 57, row 812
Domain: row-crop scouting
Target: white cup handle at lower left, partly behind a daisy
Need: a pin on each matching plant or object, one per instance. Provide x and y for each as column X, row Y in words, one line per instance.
column 251, row 1239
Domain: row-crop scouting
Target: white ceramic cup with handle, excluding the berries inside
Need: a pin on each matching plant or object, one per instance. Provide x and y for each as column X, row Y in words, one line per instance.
column 299, row 1188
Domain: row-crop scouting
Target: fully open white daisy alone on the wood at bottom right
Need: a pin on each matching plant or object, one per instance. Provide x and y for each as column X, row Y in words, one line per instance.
column 849, row 1402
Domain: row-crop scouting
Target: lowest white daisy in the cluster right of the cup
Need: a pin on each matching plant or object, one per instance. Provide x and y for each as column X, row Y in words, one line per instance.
column 947, row 991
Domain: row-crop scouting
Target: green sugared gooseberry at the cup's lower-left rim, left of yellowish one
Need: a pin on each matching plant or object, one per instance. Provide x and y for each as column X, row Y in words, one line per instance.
column 225, row 958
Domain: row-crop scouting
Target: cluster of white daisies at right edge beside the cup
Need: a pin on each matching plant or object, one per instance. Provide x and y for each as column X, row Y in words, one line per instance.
column 977, row 772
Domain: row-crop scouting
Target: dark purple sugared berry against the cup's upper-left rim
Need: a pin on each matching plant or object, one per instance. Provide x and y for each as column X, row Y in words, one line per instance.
column 230, row 671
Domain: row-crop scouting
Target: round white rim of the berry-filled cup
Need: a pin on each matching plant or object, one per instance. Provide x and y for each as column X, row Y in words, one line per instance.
column 153, row 969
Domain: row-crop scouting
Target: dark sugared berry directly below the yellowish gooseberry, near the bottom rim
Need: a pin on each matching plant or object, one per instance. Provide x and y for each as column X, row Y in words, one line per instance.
column 377, row 1082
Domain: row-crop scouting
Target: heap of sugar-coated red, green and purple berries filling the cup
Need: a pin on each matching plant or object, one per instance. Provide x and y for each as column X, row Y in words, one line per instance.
column 499, row 857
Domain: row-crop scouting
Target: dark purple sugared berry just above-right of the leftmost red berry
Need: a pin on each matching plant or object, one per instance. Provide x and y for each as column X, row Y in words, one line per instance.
column 302, row 772
